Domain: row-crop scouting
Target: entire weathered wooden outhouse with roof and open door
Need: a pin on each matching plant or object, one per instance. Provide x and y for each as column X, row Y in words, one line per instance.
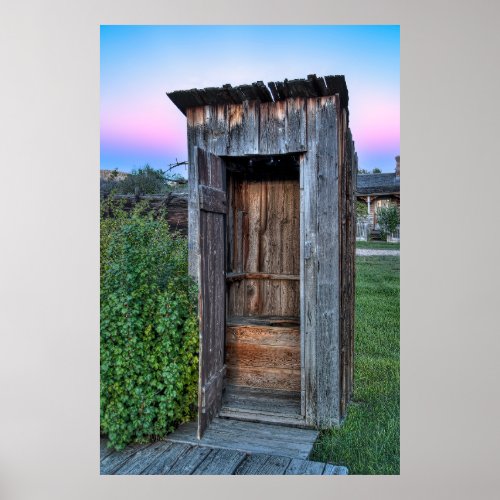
column 271, row 245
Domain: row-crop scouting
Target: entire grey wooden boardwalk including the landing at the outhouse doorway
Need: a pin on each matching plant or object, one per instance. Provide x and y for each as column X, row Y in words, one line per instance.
column 228, row 447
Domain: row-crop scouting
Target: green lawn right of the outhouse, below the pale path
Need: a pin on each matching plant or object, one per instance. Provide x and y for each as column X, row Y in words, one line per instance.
column 368, row 441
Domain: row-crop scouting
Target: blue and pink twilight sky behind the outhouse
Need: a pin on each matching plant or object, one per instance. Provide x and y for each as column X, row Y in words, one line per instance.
column 139, row 64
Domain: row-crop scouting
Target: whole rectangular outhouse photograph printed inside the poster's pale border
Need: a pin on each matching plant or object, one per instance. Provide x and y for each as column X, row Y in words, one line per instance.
column 249, row 249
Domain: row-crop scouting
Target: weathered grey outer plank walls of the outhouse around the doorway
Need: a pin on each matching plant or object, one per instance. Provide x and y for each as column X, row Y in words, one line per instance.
column 317, row 129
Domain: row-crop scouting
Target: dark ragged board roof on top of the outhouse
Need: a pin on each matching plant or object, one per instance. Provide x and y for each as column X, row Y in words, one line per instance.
column 312, row 86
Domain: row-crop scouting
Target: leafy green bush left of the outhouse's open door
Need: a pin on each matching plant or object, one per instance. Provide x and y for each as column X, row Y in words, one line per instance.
column 149, row 329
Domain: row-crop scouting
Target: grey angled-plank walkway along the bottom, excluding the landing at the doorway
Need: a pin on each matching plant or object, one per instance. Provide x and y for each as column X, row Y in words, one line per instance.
column 174, row 458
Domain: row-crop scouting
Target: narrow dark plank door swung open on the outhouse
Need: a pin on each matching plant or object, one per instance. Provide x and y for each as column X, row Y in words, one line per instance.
column 212, row 292
